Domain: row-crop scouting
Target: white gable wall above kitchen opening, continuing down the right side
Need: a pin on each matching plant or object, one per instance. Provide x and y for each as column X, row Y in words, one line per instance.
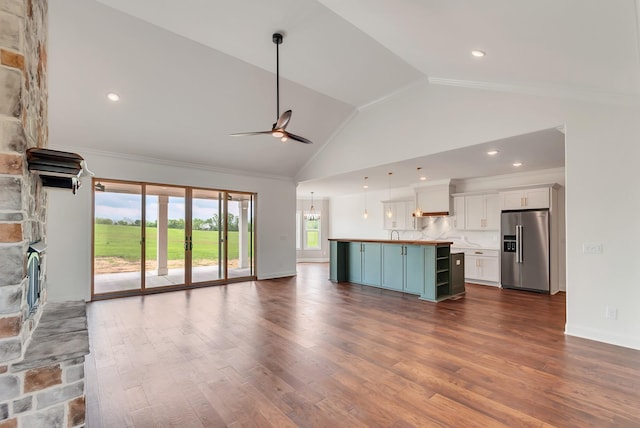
column 602, row 152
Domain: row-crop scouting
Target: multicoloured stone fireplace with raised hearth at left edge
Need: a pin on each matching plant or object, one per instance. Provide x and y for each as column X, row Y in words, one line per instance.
column 42, row 345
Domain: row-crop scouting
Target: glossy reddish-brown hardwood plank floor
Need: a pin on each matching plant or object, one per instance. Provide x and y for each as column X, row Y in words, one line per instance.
column 303, row 351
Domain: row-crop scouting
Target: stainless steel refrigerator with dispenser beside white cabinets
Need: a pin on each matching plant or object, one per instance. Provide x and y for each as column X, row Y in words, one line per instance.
column 525, row 250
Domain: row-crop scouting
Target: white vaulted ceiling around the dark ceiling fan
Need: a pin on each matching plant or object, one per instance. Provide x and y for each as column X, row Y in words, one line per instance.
column 190, row 73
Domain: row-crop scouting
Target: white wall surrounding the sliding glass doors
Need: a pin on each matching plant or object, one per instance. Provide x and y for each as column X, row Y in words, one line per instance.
column 69, row 221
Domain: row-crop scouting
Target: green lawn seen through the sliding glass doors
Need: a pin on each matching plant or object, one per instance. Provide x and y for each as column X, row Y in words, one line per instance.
column 124, row 242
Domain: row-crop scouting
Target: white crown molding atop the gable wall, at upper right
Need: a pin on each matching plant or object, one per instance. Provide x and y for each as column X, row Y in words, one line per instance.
column 545, row 91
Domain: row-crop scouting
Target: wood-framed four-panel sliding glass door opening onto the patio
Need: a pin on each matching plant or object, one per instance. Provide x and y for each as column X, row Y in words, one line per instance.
column 150, row 237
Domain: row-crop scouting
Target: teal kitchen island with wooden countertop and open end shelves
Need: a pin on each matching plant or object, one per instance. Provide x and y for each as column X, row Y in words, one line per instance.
column 422, row 268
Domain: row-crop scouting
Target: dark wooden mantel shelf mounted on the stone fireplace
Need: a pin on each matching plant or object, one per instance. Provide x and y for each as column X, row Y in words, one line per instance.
column 56, row 168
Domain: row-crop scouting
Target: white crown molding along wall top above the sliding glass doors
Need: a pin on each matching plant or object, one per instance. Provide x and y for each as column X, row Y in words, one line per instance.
column 165, row 162
